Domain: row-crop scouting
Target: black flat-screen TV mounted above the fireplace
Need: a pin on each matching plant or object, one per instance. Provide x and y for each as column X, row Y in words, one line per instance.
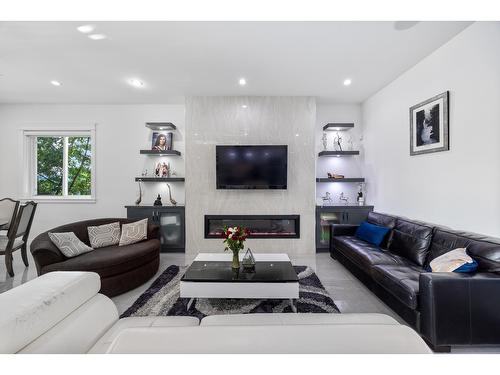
column 251, row 167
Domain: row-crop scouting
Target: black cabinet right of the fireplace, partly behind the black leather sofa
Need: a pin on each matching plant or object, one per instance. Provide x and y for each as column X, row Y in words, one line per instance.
column 336, row 215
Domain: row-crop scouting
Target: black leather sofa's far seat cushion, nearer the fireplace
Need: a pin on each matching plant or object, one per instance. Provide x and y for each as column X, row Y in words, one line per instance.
column 365, row 255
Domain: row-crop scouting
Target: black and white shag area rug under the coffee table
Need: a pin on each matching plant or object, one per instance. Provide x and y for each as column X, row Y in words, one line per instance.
column 162, row 299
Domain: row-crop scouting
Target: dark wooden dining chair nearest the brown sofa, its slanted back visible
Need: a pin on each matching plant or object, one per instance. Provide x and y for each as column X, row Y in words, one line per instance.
column 17, row 235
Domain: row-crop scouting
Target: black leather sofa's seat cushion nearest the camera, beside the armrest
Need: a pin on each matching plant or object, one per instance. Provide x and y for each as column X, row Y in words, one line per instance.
column 400, row 281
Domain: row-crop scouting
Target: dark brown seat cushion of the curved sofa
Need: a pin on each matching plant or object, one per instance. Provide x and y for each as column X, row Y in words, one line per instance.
column 111, row 260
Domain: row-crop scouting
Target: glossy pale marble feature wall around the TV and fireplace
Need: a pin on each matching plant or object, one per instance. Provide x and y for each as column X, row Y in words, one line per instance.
column 212, row 121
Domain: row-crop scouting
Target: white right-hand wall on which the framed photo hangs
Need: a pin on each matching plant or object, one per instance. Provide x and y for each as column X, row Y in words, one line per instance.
column 458, row 188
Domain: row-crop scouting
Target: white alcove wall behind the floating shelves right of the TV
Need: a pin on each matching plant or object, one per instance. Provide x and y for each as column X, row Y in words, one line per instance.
column 349, row 166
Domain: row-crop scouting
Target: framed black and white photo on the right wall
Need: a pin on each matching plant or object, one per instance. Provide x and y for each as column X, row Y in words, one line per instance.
column 429, row 125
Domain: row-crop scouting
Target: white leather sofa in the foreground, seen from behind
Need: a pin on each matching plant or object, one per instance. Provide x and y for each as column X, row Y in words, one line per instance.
column 62, row 312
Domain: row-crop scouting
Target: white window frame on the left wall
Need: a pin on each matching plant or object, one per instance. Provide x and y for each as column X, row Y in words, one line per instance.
column 29, row 162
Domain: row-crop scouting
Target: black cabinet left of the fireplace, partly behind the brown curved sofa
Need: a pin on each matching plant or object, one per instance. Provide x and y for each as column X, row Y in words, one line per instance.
column 171, row 221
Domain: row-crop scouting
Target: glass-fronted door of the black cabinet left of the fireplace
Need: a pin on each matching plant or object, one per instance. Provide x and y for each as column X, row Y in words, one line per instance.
column 171, row 230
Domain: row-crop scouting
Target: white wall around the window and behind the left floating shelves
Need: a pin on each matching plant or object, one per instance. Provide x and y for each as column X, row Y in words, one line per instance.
column 120, row 134
